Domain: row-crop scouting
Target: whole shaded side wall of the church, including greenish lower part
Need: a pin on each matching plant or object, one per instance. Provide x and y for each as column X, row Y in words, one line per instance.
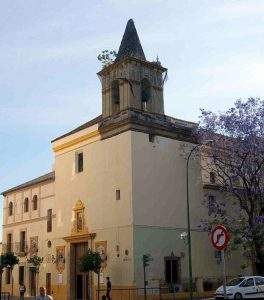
column 159, row 209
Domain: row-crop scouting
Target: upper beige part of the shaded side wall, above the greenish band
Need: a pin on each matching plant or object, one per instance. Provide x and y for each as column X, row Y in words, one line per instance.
column 159, row 183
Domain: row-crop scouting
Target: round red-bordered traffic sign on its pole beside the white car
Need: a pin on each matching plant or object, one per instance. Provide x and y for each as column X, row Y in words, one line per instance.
column 220, row 238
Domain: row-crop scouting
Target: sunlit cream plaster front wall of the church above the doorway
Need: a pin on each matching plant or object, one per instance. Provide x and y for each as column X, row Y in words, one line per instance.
column 107, row 167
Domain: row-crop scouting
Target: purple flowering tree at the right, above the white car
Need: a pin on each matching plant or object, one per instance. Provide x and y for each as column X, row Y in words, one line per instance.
column 236, row 159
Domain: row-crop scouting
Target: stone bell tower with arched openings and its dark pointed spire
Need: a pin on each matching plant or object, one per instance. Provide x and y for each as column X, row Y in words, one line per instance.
column 132, row 82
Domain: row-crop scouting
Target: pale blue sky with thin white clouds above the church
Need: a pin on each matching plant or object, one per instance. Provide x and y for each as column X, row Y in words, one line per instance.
column 48, row 63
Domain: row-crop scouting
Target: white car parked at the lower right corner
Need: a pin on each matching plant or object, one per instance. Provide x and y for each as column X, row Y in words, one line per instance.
column 242, row 288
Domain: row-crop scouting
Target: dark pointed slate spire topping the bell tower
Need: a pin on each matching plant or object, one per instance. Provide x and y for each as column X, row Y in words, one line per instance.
column 130, row 45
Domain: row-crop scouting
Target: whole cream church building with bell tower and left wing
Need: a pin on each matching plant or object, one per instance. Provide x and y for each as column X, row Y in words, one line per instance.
column 118, row 186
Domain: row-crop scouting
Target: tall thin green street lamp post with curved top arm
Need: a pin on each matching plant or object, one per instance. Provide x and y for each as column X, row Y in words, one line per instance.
column 188, row 218
